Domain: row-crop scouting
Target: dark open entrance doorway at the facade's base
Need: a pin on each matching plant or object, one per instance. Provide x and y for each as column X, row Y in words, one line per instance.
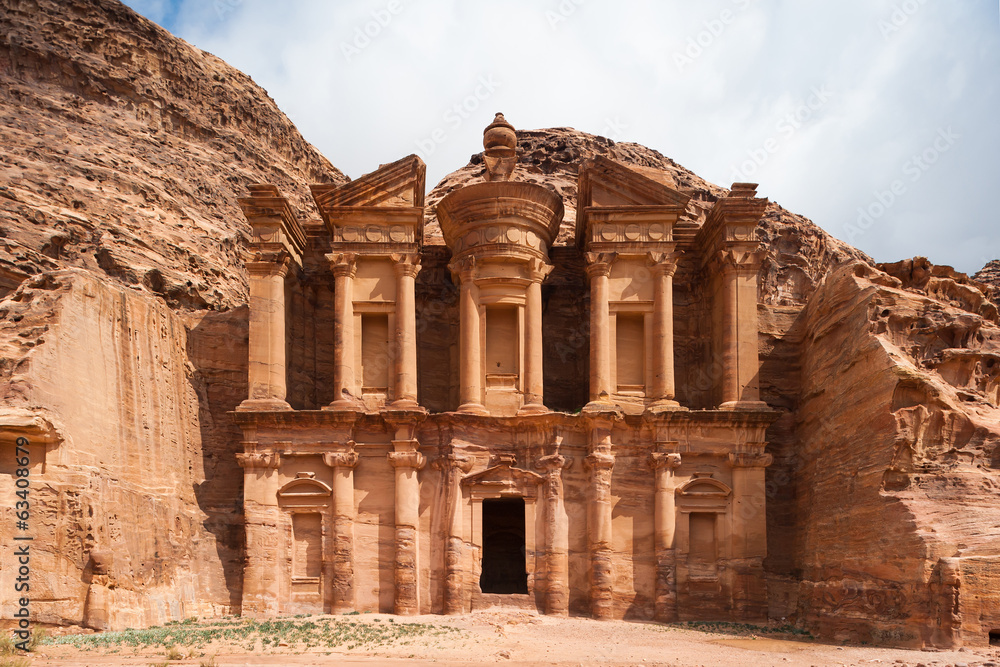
column 503, row 547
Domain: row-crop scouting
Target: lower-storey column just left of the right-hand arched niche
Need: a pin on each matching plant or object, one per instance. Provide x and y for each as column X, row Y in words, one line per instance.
column 664, row 525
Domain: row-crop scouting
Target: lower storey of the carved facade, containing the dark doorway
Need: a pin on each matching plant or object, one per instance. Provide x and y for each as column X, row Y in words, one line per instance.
column 658, row 516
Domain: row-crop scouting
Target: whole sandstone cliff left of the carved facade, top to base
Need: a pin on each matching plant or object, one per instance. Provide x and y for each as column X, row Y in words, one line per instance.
column 124, row 149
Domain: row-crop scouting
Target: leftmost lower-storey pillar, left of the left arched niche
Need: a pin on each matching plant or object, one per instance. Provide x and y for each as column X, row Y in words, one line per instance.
column 261, row 581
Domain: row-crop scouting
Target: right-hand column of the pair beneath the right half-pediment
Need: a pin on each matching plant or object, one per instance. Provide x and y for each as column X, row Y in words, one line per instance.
column 663, row 391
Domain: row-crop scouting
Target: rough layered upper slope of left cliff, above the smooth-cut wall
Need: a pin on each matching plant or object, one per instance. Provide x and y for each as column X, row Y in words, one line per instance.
column 123, row 147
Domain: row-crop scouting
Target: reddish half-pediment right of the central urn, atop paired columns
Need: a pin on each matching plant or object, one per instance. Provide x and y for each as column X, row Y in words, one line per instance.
column 606, row 183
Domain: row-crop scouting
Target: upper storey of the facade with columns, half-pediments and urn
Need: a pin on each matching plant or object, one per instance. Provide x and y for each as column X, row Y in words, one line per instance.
column 501, row 322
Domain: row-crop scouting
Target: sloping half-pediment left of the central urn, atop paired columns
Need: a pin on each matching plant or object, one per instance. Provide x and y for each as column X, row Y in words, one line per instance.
column 396, row 185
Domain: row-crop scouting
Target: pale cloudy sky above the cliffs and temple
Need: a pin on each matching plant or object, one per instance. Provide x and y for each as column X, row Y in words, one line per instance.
column 877, row 119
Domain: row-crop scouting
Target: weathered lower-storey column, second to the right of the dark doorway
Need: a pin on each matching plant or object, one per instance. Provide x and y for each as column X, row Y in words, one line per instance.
column 600, row 463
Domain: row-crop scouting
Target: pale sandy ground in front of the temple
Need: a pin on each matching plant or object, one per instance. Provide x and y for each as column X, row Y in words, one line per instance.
column 523, row 638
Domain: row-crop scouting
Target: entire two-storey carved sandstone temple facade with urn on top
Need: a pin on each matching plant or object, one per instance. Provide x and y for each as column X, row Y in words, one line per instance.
column 575, row 428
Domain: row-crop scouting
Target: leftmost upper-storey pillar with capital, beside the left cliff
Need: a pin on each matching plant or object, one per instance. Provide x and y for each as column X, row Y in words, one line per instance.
column 267, row 333
